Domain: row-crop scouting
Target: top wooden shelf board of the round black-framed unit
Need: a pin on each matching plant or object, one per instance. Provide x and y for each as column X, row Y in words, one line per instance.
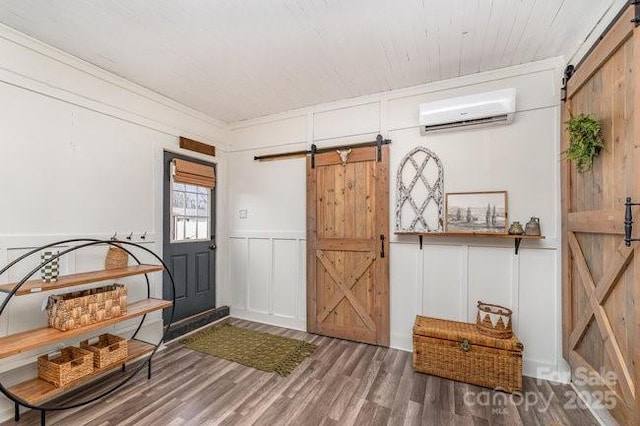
column 36, row 286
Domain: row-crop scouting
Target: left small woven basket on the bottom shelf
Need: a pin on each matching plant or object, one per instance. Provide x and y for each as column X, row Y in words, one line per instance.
column 72, row 364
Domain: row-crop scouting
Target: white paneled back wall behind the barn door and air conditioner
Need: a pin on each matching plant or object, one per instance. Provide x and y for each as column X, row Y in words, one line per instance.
column 449, row 275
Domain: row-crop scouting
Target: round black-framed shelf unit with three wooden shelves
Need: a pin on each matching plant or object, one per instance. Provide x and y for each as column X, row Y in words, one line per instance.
column 34, row 393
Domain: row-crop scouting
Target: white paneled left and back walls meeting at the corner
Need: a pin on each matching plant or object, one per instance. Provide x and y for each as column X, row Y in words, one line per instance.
column 82, row 153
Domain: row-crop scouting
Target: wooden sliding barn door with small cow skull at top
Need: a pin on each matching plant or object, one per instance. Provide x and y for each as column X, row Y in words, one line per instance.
column 347, row 245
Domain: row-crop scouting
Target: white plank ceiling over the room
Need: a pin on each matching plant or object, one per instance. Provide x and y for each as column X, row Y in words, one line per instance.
column 235, row 60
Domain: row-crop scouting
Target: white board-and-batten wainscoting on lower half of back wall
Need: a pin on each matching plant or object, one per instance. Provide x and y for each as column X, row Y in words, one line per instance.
column 443, row 281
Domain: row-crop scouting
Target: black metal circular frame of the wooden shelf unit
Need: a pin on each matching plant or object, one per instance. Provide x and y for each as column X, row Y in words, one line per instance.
column 77, row 244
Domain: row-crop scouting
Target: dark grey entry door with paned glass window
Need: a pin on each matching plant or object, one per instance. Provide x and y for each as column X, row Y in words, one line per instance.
column 188, row 243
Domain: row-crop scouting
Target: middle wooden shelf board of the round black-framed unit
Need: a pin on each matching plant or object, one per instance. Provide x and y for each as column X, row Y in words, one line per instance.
column 14, row 344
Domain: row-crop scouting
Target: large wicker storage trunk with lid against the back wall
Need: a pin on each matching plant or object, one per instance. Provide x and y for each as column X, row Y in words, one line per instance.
column 457, row 351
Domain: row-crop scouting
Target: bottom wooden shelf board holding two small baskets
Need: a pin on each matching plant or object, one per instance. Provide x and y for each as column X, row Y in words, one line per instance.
column 36, row 390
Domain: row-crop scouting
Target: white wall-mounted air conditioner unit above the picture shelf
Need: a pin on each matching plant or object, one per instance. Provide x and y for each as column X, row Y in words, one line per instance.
column 489, row 108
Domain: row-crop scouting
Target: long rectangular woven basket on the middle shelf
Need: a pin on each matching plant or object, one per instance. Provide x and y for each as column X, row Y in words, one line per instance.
column 82, row 308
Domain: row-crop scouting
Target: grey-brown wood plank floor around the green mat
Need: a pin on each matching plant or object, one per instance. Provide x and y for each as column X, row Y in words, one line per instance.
column 341, row 383
